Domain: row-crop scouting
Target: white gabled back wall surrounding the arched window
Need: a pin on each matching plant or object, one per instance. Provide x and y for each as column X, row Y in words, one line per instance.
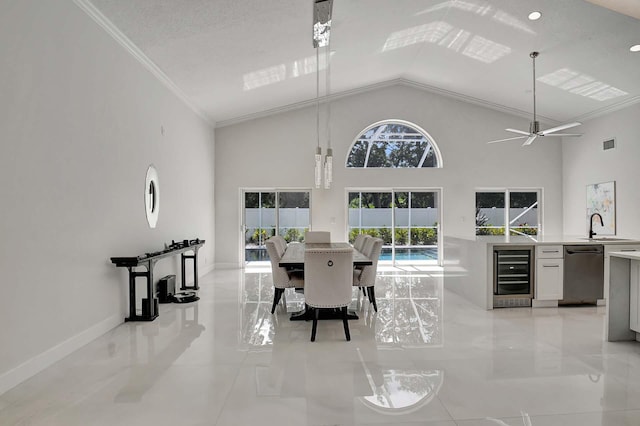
column 277, row 151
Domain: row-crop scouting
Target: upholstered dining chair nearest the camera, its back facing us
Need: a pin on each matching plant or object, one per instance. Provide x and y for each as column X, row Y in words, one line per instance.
column 328, row 275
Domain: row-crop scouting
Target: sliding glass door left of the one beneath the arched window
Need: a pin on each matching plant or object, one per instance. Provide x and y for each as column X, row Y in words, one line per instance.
column 267, row 213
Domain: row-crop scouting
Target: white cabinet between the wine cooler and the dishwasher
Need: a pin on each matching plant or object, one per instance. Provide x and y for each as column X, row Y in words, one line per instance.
column 549, row 272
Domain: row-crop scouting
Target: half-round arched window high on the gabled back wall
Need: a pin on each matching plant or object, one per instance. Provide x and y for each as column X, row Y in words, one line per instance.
column 394, row 144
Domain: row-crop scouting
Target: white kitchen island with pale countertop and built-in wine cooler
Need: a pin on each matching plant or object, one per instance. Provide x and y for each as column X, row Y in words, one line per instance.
column 469, row 263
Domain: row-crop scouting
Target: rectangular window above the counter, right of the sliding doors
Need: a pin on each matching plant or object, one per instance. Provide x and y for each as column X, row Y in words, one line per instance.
column 507, row 212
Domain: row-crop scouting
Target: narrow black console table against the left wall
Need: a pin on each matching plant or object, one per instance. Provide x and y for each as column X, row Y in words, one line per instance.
column 148, row 261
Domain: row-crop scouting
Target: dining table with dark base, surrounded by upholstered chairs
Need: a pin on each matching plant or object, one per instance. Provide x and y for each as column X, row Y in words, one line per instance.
column 293, row 259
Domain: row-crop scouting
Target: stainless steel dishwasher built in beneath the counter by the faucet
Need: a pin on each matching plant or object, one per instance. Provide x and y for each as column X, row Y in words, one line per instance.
column 583, row 274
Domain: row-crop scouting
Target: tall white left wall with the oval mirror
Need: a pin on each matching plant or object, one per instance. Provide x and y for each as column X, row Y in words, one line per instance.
column 81, row 120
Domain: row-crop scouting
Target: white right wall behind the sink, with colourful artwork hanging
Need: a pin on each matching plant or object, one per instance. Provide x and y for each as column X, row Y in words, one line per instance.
column 585, row 162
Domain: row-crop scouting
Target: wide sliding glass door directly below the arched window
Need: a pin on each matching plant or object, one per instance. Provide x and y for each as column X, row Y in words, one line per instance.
column 407, row 221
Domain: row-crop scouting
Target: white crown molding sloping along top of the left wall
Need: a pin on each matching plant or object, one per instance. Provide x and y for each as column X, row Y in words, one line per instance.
column 87, row 7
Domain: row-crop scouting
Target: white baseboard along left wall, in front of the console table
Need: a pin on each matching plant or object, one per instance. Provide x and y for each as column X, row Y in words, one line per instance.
column 47, row 358
